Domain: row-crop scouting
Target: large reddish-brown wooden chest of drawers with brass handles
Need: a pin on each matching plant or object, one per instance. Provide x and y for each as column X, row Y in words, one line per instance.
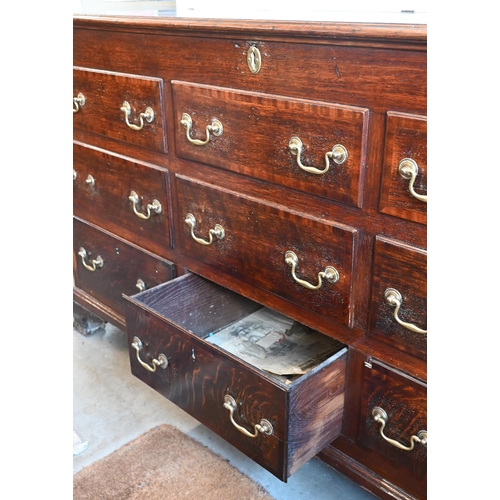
column 225, row 166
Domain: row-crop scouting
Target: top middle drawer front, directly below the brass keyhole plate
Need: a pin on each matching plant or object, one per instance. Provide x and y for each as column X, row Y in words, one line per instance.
column 262, row 134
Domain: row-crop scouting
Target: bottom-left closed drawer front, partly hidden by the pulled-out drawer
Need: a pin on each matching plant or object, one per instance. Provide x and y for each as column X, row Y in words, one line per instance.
column 122, row 266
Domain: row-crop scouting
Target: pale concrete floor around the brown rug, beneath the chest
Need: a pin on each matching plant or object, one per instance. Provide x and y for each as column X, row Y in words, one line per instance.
column 112, row 407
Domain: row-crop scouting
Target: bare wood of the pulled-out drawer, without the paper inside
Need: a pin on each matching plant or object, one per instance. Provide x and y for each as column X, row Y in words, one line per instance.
column 305, row 415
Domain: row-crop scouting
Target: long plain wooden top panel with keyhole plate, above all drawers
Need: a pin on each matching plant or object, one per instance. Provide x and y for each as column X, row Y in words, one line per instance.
column 372, row 77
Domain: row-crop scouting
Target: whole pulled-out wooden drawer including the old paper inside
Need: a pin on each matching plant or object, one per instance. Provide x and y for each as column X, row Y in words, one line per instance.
column 278, row 421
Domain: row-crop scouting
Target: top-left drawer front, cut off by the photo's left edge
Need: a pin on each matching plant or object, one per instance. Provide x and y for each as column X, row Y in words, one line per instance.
column 105, row 94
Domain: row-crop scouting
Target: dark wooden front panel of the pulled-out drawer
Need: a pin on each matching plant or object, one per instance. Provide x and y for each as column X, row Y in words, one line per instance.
column 199, row 385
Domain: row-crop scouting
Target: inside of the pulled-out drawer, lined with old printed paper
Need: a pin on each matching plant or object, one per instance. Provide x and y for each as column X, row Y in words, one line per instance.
column 260, row 337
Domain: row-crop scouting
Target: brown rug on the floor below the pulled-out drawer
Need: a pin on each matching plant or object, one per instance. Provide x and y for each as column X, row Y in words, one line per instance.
column 164, row 464
